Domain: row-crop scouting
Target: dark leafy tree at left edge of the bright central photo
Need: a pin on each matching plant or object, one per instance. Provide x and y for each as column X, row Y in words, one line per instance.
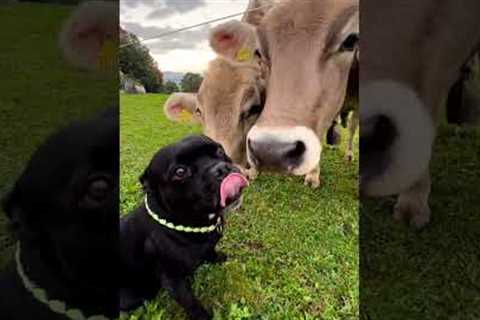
column 135, row 61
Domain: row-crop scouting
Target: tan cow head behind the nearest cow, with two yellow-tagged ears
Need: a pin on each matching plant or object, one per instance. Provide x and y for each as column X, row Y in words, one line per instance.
column 231, row 96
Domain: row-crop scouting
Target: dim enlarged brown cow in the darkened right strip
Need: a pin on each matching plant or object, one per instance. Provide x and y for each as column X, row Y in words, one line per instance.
column 423, row 47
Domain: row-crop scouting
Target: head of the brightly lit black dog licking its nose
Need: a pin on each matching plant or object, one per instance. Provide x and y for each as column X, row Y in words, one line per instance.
column 193, row 178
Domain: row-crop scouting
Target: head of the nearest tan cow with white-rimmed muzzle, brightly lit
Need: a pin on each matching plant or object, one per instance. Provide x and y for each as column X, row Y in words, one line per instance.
column 309, row 47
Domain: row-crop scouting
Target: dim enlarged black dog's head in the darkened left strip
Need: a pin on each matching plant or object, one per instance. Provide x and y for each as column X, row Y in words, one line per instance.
column 65, row 203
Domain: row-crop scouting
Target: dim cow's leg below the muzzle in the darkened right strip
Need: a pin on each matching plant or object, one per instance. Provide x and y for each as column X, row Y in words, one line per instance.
column 413, row 203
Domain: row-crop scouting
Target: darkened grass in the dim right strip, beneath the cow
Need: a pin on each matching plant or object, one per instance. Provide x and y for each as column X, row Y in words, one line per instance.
column 434, row 273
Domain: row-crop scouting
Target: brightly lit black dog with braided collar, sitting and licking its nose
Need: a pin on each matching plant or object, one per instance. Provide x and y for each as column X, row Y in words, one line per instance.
column 189, row 186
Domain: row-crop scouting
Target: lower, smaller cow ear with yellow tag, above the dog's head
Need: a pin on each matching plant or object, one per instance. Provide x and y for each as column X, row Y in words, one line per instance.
column 181, row 107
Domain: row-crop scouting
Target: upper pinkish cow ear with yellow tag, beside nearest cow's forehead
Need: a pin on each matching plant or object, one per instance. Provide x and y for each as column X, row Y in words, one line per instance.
column 235, row 41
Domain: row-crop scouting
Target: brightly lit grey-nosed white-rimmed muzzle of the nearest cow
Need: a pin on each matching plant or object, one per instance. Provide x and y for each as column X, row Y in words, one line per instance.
column 295, row 150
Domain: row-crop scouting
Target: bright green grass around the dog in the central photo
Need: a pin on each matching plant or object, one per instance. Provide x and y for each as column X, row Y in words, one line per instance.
column 293, row 251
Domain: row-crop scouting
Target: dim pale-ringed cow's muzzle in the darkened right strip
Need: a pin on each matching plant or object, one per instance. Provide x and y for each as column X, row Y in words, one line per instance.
column 396, row 138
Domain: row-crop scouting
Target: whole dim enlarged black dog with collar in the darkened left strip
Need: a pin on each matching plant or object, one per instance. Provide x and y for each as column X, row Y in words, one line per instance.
column 64, row 211
